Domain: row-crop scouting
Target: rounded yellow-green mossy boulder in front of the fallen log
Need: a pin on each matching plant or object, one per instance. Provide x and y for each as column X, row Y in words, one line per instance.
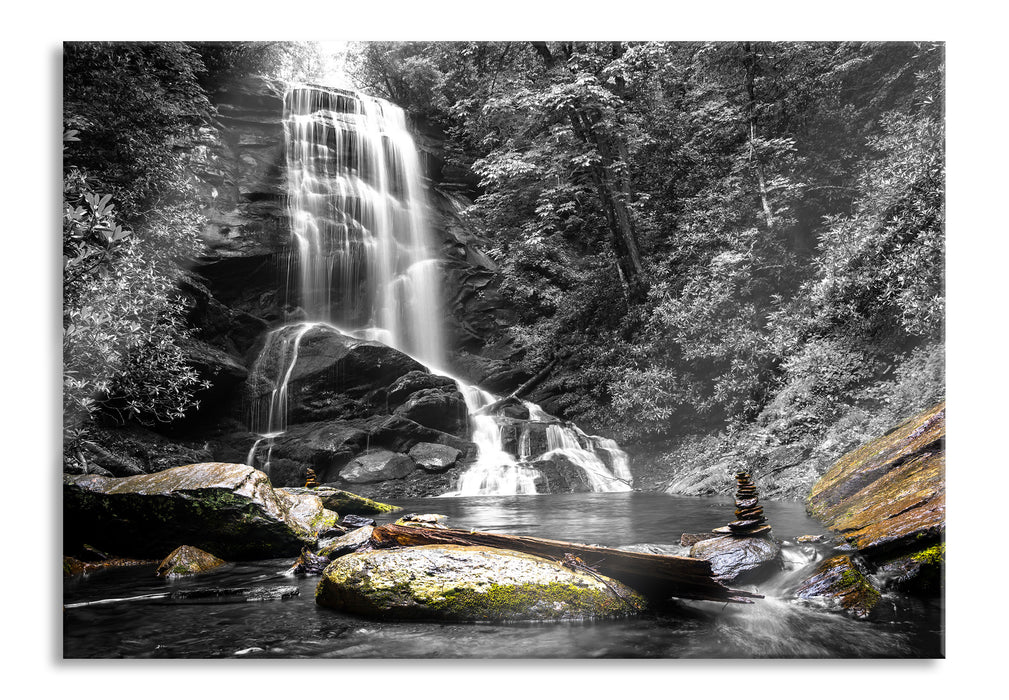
column 469, row 584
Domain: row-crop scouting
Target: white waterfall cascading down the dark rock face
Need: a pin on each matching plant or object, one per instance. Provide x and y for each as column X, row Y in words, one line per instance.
column 363, row 265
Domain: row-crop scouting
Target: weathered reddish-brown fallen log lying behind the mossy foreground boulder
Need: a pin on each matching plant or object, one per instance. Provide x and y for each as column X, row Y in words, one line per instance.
column 655, row 576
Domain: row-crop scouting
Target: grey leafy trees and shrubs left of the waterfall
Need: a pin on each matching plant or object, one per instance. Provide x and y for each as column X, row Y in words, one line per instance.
column 135, row 118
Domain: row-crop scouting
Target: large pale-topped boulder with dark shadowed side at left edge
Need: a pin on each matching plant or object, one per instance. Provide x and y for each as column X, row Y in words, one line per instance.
column 231, row 510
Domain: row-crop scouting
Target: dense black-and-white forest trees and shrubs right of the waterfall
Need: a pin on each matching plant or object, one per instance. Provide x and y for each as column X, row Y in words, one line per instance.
column 704, row 234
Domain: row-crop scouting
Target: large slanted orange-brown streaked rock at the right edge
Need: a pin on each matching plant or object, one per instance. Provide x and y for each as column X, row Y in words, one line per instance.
column 889, row 495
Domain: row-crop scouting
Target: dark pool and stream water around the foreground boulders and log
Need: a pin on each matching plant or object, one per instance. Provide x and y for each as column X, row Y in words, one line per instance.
column 777, row 626
